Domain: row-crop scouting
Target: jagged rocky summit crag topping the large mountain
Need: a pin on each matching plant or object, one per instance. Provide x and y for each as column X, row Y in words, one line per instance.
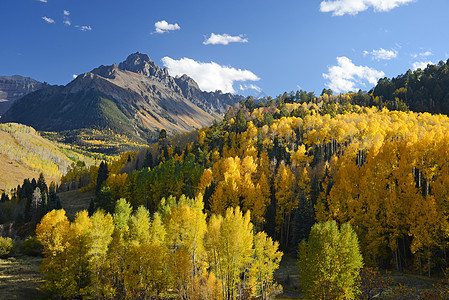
column 142, row 64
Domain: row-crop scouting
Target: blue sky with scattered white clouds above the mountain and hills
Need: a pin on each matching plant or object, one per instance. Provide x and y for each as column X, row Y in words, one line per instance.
column 273, row 46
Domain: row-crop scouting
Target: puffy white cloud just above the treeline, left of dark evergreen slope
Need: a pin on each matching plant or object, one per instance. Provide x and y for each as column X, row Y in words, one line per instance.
column 348, row 77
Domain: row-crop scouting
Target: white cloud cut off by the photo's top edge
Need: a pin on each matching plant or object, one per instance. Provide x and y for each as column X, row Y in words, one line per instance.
column 353, row 7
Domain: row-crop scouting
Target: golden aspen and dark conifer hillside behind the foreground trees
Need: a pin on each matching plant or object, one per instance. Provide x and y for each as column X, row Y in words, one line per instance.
column 297, row 163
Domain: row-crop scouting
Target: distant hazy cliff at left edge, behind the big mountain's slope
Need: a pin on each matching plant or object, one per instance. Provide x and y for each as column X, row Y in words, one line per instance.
column 15, row 87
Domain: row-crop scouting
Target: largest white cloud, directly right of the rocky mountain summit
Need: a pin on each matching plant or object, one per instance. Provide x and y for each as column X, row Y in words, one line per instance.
column 209, row 76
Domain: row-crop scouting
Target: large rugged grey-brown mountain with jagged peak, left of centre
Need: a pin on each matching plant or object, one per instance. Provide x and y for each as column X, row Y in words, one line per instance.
column 135, row 98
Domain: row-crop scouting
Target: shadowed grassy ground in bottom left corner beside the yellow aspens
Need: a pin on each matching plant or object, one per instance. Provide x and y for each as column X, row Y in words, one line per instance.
column 20, row 278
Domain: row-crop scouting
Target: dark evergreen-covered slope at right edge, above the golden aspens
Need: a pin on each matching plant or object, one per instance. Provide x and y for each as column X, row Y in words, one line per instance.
column 424, row 90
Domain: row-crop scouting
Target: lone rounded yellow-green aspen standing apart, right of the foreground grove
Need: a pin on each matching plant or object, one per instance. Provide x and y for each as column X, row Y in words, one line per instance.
column 329, row 262
